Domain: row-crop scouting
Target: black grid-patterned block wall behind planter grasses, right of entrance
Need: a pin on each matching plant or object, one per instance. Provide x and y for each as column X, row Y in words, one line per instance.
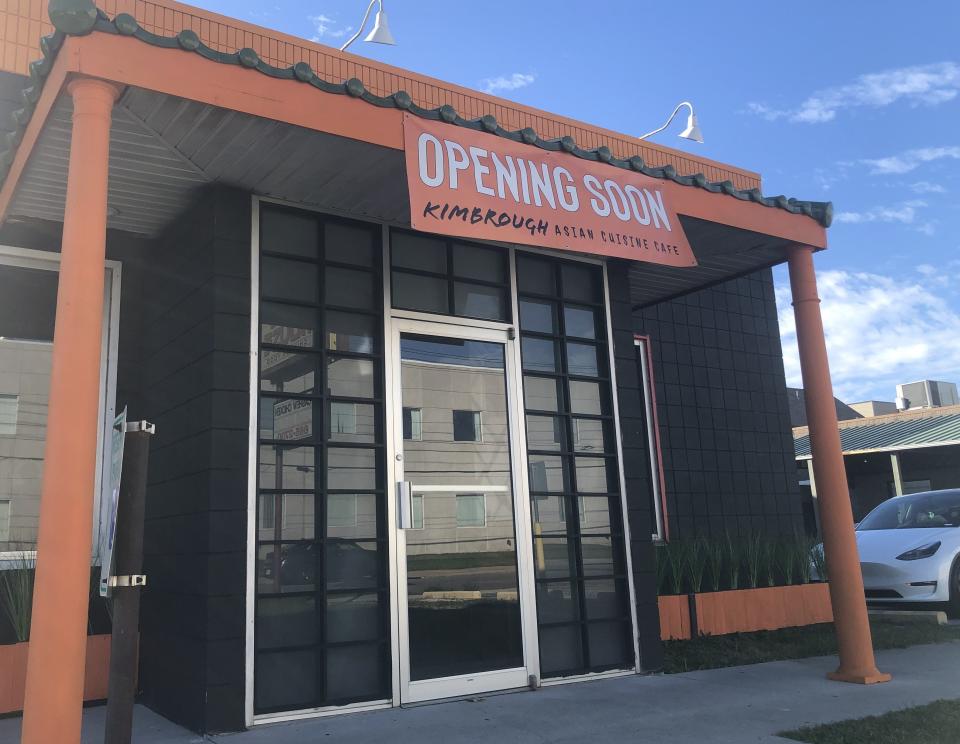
column 722, row 404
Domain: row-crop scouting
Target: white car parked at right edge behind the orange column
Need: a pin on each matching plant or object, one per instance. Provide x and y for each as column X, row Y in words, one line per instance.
column 909, row 548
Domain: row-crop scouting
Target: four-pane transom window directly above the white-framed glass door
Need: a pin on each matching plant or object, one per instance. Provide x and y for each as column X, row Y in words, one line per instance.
column 448, row 277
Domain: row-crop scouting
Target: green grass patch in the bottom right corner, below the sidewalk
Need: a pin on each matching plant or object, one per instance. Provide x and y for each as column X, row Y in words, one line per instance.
column 936, row 723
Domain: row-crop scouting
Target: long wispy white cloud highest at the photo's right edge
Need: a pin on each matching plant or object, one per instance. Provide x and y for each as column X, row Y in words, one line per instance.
column 927, row 85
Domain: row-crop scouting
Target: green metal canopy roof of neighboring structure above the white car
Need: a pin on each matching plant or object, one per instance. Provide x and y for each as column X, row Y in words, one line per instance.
column 894, row 432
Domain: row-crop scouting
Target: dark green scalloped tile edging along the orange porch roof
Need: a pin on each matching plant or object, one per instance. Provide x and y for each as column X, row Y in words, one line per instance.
column 81, row 17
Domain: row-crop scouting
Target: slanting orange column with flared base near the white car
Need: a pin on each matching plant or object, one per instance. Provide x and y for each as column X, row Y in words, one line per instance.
column 852, row 626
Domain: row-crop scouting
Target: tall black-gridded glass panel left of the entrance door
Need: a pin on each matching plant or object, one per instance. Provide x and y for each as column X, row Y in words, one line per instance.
column 322, row 607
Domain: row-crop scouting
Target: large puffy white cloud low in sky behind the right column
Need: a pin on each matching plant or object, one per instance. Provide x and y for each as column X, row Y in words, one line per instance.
column 880, row 331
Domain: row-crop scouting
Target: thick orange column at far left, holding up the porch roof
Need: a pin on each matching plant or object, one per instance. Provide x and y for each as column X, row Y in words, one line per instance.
column 54, row 690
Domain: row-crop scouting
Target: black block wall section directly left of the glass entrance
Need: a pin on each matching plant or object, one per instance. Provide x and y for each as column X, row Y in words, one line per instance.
column 192, row 340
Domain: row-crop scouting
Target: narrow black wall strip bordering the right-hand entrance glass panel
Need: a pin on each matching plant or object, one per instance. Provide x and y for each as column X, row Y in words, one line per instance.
column 636, row 467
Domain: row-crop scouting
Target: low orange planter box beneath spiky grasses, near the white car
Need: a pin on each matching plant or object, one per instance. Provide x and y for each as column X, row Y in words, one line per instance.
column 746, row 610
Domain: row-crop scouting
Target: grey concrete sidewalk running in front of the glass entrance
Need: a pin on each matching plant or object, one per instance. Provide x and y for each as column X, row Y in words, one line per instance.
column 735, row 706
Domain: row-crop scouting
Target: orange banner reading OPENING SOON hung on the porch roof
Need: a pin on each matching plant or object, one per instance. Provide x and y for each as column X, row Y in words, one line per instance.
column 476, row 185
